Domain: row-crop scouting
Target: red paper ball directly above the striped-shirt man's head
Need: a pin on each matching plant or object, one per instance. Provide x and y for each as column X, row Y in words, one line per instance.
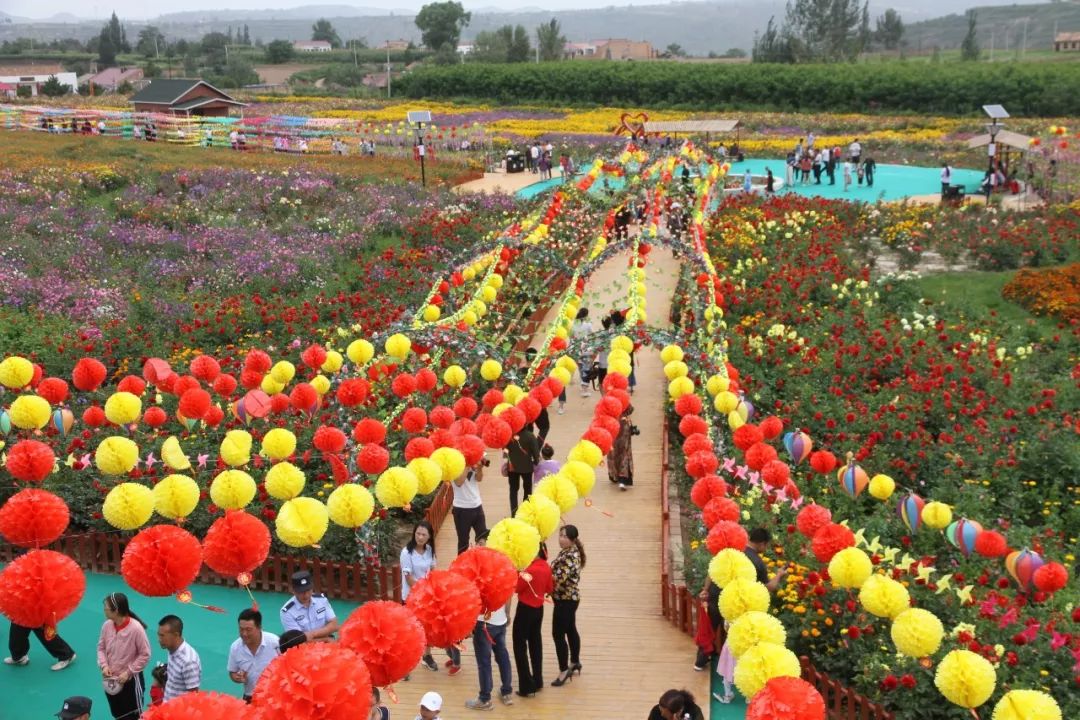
column 161, row 561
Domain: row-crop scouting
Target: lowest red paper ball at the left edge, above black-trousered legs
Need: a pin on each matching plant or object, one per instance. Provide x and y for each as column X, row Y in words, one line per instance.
column 40, row 589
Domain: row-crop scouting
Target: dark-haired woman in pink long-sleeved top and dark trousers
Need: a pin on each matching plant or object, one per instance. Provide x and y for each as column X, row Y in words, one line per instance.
column 124, row 650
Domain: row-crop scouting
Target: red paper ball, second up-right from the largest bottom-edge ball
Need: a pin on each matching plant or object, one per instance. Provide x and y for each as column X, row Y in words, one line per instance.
column 447, row 605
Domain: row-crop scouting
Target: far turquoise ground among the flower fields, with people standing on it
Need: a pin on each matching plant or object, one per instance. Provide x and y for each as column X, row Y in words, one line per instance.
column 890, row 182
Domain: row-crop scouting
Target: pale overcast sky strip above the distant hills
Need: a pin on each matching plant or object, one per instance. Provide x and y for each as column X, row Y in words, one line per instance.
column 145, row 9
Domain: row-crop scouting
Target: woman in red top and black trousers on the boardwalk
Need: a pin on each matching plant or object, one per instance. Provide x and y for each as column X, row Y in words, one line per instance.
column 534, row 583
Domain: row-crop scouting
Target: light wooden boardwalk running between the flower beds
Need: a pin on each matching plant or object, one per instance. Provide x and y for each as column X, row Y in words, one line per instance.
column 630, row 654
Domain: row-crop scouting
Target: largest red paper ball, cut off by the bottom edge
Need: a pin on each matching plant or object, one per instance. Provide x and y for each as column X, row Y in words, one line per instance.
column 315, row 682
